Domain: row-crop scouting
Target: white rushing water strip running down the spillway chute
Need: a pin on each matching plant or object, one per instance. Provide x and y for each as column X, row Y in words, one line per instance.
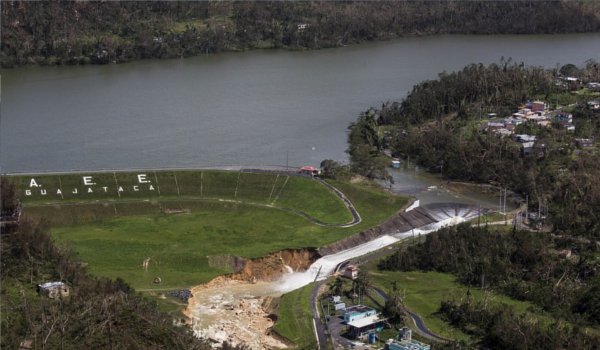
column 325, row 266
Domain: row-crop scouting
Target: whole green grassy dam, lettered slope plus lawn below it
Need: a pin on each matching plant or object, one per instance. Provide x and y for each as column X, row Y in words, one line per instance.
column 115, row 235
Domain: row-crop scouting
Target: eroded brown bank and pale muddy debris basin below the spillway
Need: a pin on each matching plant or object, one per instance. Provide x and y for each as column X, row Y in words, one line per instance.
column 239, row 308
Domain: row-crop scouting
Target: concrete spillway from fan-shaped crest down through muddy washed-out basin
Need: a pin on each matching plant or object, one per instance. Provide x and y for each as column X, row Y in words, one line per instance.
column 215, row 308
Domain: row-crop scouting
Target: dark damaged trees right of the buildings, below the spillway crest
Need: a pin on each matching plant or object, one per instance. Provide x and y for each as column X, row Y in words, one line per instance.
column 523, row 265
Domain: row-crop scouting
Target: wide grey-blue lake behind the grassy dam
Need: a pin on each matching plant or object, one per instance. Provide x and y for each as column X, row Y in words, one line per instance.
column 252, row 108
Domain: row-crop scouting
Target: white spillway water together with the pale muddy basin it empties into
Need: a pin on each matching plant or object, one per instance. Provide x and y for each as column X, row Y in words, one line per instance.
column 233, row 311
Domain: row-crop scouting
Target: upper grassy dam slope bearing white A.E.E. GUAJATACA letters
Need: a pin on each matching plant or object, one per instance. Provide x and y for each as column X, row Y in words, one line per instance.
column 103, row 189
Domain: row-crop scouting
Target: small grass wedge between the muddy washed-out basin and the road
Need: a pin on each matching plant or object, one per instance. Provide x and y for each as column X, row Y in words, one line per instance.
column 295, row 318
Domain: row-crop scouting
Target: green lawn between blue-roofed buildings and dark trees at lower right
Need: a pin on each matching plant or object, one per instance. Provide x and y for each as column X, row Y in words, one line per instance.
column 424, row 291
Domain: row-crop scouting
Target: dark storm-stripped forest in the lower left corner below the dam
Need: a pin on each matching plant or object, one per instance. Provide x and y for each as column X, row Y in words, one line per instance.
column 98, row 313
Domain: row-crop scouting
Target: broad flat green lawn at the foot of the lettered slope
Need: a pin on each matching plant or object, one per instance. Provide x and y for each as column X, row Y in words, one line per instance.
column 178, row 244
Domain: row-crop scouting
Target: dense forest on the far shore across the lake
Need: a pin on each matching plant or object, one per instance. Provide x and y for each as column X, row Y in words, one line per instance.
column 79, row 32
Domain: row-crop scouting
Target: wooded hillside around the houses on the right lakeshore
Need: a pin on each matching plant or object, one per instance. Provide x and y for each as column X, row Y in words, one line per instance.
column 441, row 125
